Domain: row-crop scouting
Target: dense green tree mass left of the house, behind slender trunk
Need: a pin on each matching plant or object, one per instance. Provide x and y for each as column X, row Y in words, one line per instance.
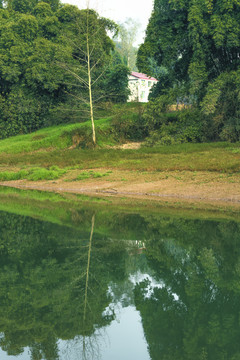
column 42, row 64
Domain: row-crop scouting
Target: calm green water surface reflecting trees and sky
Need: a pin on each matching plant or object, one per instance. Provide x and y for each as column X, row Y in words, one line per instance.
column 108, row 285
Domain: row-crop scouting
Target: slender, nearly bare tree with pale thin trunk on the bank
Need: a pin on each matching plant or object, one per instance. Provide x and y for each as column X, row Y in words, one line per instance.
column 91, row 53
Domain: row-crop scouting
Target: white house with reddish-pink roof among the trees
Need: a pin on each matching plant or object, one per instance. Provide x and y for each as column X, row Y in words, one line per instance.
column 140, row 85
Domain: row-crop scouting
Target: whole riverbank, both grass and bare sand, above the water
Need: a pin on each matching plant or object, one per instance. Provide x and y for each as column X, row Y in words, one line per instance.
column 190, row 174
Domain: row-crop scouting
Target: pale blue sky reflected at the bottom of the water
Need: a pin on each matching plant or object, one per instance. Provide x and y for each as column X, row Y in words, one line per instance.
column 123, row 339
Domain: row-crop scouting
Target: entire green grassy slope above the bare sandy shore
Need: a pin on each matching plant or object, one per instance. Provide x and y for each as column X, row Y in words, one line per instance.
column 30, row 155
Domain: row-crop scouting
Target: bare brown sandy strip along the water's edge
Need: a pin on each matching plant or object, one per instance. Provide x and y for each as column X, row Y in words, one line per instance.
column 201, row 187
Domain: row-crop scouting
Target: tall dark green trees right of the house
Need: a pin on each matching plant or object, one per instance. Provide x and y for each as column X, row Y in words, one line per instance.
column 192, row 47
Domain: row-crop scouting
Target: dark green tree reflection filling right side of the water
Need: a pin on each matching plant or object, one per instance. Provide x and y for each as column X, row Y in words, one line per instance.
column 194, row 314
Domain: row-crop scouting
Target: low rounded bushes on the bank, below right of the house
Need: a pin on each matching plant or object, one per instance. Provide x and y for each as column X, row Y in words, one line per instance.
column 166, row 127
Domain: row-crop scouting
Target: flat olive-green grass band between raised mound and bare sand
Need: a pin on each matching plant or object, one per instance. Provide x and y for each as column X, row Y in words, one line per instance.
column 198, row 158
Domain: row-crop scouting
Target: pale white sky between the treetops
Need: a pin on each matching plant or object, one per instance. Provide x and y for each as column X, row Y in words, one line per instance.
column 120, row 10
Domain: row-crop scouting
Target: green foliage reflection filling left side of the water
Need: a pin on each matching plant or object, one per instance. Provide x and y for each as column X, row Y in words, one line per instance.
column 43, row 279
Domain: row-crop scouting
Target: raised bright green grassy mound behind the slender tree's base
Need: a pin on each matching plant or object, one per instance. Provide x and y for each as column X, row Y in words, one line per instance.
column 77, row 135
